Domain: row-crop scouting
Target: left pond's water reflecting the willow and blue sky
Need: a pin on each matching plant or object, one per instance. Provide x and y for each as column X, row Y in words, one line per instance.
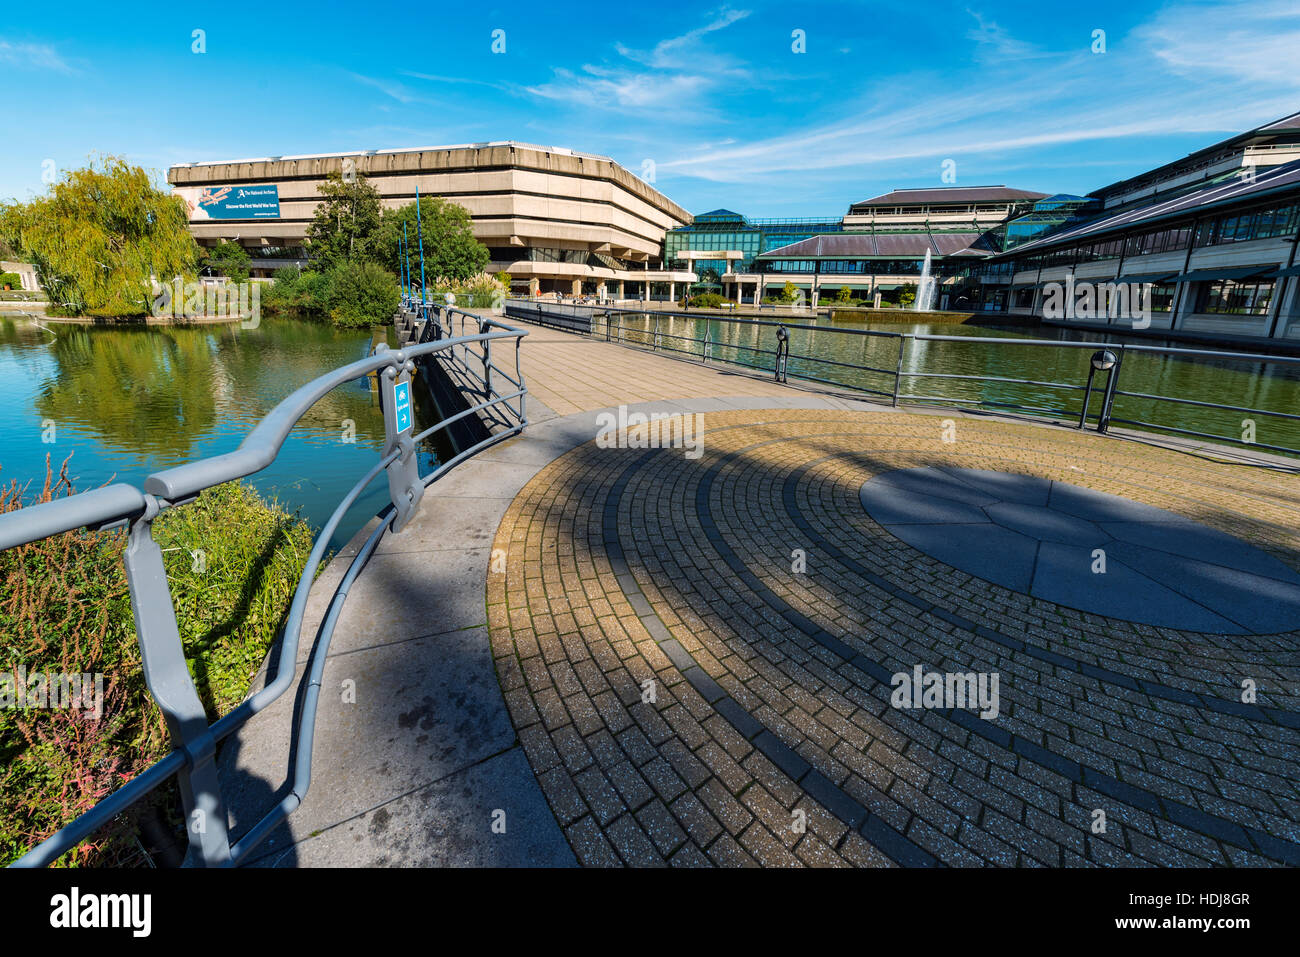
column 128, row 401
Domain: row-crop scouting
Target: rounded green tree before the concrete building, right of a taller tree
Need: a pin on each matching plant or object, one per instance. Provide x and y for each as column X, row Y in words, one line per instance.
column 450, row 249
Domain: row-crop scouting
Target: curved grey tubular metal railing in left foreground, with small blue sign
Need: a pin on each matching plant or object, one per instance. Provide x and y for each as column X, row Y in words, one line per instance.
column 194, row 741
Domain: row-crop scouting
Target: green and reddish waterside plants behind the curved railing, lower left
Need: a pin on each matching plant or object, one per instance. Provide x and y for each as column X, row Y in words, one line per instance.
column 66, row 608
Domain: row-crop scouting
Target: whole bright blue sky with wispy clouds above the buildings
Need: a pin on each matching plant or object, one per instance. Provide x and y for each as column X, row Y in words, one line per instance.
column 713, row 96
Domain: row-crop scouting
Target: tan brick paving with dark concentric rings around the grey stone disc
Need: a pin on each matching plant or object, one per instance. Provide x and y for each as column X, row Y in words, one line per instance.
column 697, row 656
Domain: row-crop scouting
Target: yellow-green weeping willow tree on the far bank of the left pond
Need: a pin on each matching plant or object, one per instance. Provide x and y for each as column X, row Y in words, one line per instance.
column 101, row 237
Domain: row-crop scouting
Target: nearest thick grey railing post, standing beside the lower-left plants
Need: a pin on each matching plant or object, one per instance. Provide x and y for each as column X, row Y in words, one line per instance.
column 168, row 679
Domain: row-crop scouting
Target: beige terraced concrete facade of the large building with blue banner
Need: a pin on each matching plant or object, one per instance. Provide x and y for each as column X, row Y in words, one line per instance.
column 551, row 218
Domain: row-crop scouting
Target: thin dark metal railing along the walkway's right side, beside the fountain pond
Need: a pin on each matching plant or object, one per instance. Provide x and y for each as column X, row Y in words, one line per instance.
column 647, row 330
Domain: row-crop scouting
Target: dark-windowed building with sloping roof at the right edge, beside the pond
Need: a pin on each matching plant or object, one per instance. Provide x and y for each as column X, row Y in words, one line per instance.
column 1207, row 246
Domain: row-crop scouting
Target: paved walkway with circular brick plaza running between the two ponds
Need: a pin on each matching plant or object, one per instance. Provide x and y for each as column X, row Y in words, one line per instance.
column 643, row 656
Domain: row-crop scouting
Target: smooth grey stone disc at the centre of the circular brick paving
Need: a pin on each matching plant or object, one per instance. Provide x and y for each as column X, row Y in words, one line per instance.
column 1086, row 549
